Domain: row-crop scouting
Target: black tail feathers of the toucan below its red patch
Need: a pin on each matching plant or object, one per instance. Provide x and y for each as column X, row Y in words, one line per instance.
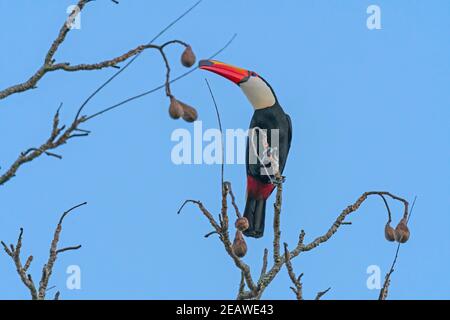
column 255, row 212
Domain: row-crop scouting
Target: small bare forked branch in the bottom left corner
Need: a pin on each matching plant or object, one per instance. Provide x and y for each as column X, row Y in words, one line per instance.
column 14, row 252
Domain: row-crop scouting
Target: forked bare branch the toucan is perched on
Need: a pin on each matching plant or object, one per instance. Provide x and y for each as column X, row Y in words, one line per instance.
column 221, row 228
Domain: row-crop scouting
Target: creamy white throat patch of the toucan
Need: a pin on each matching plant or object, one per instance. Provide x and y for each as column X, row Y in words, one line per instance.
column 258, row 93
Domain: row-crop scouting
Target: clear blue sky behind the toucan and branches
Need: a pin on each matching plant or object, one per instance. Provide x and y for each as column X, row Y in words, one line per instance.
column 370, row 111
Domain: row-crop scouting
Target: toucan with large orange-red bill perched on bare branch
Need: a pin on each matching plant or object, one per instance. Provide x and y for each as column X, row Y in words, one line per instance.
column 267, row 149
